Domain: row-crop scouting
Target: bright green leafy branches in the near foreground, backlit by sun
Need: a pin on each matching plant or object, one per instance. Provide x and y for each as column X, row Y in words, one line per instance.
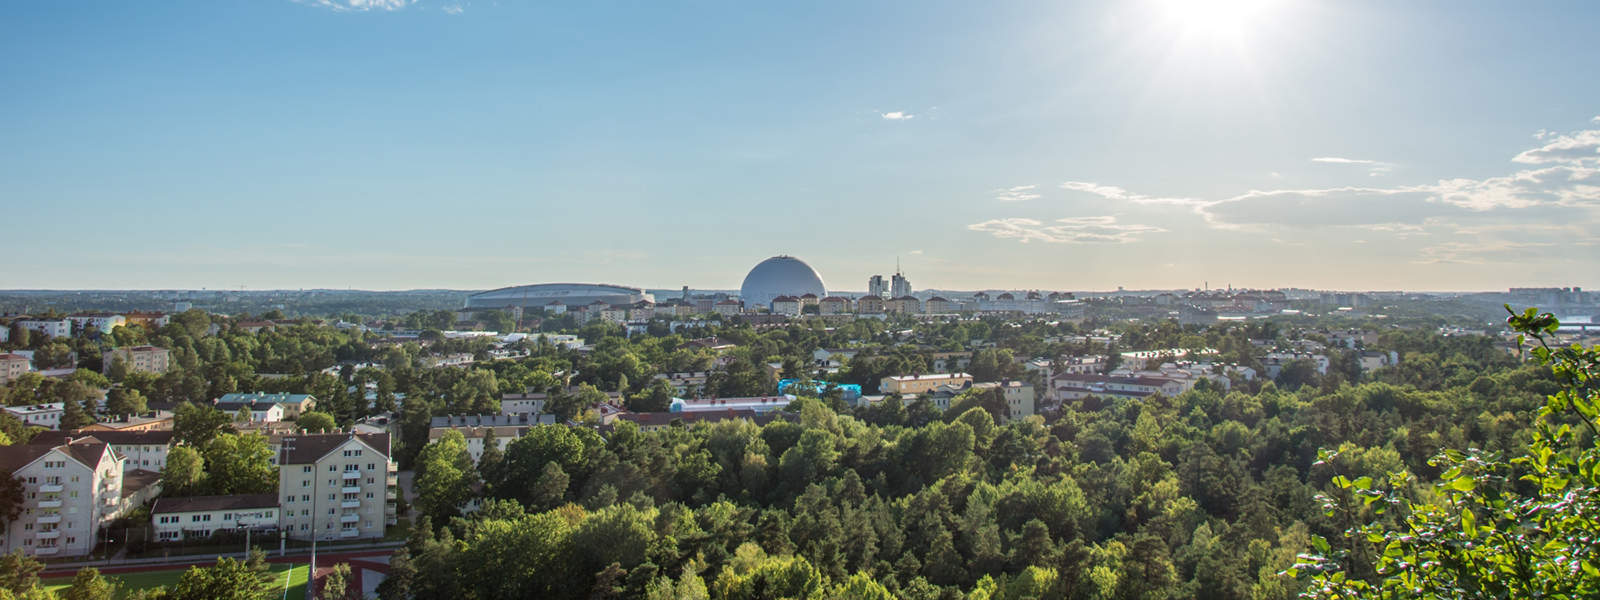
column 1489, row 529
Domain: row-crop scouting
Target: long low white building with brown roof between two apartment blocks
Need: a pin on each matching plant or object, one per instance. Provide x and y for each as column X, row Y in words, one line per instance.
column 202, row 516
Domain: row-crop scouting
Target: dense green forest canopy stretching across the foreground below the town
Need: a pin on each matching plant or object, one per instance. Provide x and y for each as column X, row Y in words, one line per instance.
column 1206, row 495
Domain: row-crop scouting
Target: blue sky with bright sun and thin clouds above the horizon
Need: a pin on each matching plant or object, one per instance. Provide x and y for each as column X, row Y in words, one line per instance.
column 1063, row 146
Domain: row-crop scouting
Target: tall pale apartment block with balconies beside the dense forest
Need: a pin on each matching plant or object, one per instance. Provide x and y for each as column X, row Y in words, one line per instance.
column 337, row 486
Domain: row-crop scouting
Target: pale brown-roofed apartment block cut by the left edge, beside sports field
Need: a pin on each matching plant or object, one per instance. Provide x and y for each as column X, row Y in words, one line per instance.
column 68, row 494
